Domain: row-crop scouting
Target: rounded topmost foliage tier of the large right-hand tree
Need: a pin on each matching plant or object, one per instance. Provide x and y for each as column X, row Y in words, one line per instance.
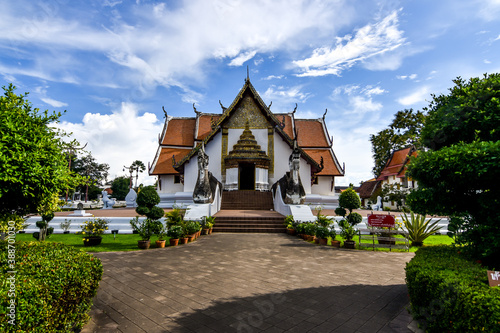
column 468, row 113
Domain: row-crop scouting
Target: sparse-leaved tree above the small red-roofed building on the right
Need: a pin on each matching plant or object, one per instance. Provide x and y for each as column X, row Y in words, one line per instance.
column 402, row 132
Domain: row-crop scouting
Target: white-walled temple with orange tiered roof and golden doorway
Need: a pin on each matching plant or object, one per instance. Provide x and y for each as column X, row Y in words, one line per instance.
column 246, row 147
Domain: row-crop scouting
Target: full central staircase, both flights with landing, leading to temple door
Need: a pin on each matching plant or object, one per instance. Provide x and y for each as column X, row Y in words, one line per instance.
column 248, row 211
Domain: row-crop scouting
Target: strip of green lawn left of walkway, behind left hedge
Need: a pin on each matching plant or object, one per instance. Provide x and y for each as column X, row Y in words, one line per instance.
column 123, row 242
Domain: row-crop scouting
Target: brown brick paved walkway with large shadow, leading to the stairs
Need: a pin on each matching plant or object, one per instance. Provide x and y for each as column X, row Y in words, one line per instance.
column 251, row 283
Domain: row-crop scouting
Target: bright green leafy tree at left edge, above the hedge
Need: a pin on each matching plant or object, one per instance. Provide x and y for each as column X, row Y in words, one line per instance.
column 27, row 135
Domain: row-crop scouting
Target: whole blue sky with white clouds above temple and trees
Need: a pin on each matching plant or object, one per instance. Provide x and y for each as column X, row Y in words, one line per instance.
column 113, row 64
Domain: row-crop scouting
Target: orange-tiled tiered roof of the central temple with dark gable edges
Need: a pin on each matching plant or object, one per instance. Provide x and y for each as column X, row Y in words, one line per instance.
column 182, row 137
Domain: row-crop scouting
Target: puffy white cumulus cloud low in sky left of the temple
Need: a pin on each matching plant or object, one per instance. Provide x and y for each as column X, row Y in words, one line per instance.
column 119, row 138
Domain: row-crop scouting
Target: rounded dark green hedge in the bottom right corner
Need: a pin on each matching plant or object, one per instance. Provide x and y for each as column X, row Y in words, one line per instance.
column 450, row 293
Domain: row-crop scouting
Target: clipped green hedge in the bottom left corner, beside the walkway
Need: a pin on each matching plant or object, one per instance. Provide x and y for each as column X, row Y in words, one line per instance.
column 54, row 287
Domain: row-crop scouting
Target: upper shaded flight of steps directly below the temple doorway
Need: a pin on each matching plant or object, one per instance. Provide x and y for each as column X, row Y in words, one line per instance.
column 247, row 200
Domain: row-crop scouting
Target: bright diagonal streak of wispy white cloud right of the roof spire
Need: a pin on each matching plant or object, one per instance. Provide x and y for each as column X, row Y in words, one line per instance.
column 371, row 40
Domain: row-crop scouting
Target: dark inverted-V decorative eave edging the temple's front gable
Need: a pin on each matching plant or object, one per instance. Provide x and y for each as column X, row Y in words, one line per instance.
column 315, row 167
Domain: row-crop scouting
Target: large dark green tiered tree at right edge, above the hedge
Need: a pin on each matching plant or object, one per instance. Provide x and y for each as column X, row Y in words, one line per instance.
column 458, row 175
